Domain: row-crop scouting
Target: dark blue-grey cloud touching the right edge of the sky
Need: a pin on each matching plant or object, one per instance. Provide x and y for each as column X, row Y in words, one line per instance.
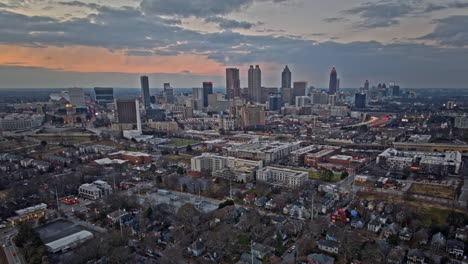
column 451, row 31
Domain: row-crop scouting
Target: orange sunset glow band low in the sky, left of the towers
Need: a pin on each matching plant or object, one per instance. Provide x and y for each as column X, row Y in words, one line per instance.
column 95, row 59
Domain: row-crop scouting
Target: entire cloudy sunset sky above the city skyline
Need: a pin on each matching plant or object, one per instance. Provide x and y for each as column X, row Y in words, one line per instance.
column 84, row 43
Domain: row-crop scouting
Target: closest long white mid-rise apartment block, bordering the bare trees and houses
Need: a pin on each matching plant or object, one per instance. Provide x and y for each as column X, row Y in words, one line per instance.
column 282, row 177
